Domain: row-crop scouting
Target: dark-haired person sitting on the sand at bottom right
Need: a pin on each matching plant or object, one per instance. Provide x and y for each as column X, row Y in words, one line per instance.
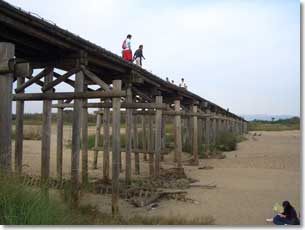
column 287, row 217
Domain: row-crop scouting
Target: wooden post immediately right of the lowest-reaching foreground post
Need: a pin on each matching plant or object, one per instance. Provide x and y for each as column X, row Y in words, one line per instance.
column 128, row 137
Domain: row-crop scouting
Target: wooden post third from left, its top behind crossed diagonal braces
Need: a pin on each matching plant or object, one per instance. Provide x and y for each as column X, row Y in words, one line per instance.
column 46, row 133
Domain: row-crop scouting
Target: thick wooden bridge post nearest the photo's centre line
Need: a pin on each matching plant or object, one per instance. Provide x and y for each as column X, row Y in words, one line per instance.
column 158, row 137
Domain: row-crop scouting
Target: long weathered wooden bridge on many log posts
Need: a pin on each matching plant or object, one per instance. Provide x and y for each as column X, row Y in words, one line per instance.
column 28, row 43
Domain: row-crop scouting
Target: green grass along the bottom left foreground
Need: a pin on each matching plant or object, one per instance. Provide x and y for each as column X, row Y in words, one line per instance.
column 22, row 205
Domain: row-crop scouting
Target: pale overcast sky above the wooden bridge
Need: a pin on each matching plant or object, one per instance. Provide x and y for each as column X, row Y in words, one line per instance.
column 243, row 55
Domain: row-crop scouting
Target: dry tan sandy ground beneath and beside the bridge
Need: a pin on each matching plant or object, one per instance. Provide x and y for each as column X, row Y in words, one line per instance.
column 263, row 170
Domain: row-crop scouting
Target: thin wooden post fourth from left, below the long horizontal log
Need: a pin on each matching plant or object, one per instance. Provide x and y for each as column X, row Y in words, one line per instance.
column 59, row 137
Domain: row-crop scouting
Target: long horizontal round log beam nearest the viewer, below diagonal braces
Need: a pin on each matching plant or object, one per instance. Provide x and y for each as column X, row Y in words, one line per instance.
column 60, row 96
